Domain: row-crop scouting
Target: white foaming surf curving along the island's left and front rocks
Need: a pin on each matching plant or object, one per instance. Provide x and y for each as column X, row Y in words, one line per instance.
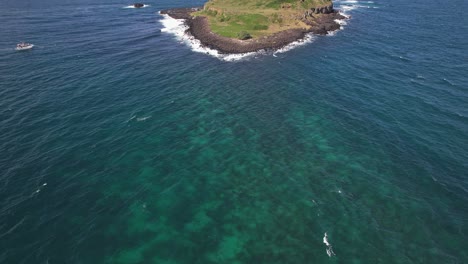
column 178, row 28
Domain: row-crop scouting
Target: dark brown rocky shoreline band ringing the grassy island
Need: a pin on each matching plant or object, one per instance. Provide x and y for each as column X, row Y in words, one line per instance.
column 199, row 28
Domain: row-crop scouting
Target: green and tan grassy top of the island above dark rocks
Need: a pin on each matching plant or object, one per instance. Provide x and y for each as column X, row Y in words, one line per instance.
column 243, row 19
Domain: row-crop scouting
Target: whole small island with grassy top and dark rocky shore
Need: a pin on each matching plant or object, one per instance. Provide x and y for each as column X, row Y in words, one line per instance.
column 241, row 26
